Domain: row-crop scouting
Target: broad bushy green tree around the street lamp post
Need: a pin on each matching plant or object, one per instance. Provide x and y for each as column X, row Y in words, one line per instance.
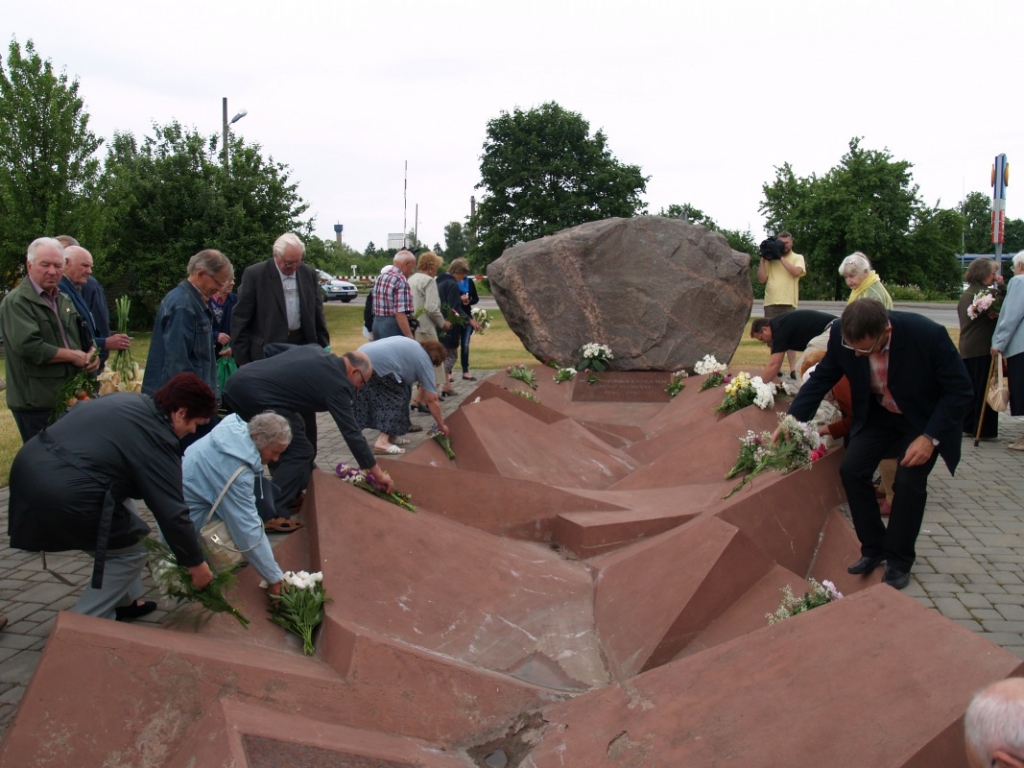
column 170, row 197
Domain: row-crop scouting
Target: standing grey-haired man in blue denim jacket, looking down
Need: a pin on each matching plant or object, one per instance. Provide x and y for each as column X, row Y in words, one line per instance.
column 183, row 333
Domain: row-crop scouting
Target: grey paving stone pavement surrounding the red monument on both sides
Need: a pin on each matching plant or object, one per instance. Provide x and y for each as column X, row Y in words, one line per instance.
column 968, row 570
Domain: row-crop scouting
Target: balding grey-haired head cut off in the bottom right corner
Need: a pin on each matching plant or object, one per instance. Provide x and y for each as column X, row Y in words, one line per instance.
column 994, row 727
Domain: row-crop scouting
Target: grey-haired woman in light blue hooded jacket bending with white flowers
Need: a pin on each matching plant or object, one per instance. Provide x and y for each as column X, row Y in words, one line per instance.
column 209, row 464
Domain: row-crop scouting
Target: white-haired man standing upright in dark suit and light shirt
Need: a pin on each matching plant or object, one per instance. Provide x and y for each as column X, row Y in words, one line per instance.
column 280, row 303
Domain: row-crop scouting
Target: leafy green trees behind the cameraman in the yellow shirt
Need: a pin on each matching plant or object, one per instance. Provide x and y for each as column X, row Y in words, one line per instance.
column 868, row 203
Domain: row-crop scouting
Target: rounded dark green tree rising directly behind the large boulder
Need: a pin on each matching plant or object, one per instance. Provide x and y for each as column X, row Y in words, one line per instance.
column 542, row 172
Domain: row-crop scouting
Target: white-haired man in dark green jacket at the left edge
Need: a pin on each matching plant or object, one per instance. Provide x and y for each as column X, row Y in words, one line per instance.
column 47, row 340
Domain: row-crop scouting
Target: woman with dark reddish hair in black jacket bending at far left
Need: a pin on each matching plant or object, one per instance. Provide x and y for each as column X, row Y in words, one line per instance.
column 72, row 488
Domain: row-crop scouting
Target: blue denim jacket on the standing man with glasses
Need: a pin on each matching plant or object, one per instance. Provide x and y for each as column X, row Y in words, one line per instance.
column 183, row 340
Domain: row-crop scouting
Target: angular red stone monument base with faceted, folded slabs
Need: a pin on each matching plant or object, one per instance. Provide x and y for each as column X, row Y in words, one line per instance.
column 576, row 590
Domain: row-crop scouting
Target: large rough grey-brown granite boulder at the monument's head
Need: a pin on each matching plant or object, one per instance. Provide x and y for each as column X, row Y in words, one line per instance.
column 662, row 293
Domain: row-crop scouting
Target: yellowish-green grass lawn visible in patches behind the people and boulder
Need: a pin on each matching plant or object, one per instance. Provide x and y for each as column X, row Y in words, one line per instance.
column 498, row 349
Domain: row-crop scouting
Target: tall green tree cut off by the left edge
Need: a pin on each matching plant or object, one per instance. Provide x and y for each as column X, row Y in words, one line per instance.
column 49, row 163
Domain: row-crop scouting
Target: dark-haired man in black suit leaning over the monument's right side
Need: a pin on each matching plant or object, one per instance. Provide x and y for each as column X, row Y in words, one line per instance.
column 911, row 392
